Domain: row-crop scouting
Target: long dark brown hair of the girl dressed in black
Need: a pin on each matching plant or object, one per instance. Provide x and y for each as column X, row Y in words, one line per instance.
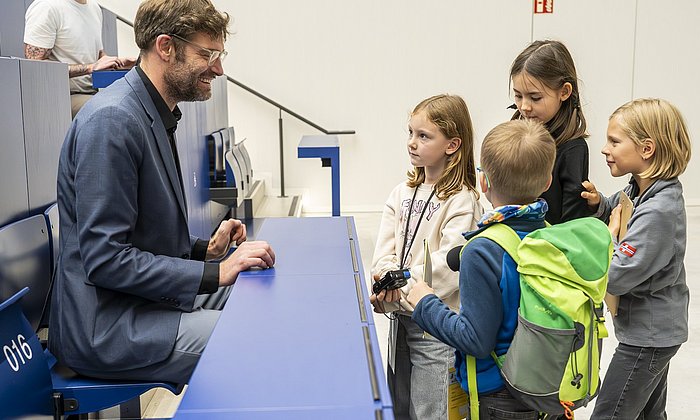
column 551, row 63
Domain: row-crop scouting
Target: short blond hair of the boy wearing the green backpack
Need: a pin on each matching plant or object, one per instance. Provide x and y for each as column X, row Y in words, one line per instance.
column 518, row 157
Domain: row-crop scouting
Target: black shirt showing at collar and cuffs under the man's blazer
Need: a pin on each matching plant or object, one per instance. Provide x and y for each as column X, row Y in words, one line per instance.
column 210, row 278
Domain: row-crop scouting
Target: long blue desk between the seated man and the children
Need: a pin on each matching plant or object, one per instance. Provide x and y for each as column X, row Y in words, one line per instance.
column 296, row 341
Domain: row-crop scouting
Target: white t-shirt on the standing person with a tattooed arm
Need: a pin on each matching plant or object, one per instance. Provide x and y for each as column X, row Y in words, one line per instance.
column 72, row 31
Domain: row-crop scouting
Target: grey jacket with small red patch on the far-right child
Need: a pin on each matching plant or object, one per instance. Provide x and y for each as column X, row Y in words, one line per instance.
column 647, row 269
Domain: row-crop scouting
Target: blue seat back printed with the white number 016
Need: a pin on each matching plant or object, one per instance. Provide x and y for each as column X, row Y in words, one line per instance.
column 24, row 374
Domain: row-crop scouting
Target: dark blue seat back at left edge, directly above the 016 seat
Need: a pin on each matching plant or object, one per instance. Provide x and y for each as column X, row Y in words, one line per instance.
column 25, row 261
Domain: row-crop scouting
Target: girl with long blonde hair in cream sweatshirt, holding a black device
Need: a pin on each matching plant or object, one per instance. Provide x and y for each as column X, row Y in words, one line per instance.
column 438, row 202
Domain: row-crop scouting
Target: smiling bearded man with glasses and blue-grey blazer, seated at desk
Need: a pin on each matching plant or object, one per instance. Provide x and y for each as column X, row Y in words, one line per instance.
column 135, row 295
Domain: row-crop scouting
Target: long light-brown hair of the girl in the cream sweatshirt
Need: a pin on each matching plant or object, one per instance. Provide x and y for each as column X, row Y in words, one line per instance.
column 451, row 115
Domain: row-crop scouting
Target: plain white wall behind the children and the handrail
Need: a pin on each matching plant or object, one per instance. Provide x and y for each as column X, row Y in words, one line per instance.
column 364, row 64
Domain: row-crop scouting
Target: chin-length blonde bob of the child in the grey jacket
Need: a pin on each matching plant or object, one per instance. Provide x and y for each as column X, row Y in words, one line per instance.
column 659, row 120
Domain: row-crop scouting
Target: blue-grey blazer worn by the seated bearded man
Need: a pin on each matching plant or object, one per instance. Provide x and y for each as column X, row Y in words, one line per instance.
column 124, row 275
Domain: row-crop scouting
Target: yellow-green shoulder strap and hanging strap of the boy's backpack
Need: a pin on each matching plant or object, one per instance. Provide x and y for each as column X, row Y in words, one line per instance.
column 509, row 240
